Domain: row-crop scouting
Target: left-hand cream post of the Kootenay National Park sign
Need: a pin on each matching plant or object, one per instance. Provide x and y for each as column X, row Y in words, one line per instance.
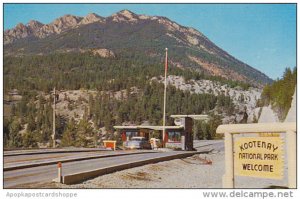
column 228, row 178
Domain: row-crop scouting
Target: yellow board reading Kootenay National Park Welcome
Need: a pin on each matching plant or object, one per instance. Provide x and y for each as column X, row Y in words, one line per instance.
column 259, row 157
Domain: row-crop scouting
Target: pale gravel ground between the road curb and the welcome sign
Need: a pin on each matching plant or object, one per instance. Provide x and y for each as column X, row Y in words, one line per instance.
column 199, row 171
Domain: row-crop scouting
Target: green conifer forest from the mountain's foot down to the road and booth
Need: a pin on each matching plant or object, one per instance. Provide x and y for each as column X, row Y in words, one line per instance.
column 140, row 100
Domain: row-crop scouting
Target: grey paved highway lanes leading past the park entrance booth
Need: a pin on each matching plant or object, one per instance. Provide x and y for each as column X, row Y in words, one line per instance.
column 28, row 177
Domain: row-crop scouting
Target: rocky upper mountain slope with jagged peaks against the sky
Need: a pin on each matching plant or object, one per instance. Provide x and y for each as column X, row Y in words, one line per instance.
column 129, row 32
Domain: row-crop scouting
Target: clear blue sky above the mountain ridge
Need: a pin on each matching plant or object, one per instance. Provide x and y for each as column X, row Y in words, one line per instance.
column 261, row 35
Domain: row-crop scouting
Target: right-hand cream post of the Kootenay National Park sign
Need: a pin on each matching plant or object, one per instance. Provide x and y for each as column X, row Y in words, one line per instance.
column 292, row 163
